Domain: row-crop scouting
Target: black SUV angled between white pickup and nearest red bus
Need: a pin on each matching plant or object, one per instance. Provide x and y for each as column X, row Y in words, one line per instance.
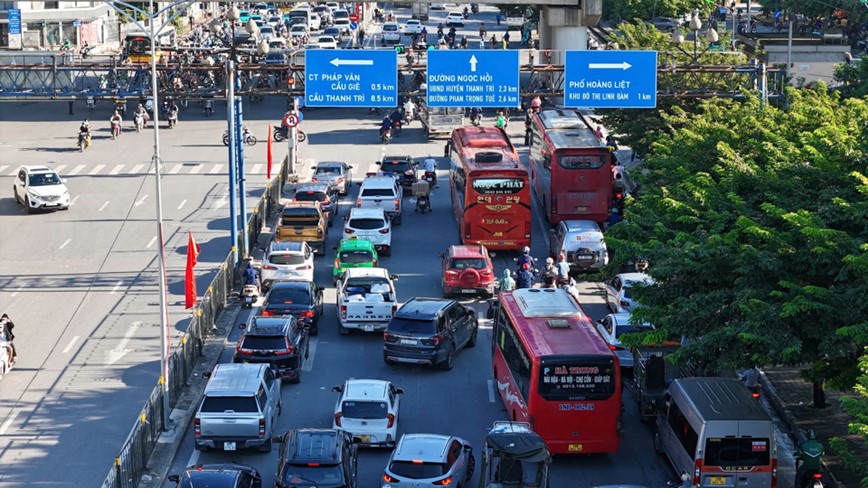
column 429, row 331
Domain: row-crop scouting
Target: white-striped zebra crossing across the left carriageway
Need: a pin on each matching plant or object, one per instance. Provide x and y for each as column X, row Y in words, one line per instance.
column 65, row 170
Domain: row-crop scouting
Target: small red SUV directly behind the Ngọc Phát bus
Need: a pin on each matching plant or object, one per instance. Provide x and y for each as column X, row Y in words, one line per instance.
column 467, row 270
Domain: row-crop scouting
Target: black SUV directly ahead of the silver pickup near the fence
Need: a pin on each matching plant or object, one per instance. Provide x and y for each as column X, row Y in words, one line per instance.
column 279, row 341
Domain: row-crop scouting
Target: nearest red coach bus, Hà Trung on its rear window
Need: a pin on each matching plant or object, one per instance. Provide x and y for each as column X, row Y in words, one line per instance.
column 555, row 371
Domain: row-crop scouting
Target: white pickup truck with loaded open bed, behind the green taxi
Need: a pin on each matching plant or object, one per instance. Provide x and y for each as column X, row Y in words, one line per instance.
column 366, row 299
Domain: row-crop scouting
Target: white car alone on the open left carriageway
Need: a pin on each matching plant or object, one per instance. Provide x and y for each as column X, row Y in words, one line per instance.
column 40, row 188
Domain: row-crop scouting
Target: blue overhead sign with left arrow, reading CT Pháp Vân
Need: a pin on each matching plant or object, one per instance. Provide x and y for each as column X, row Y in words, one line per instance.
column 351, row 78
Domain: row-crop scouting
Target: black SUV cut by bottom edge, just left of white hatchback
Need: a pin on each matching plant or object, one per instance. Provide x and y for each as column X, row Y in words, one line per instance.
column 325, row 458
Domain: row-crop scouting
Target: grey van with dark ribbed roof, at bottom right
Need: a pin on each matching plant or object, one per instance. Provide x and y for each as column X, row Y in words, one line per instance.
column 713, row 430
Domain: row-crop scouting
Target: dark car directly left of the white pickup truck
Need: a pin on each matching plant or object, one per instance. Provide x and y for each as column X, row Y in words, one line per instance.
column 301, row 299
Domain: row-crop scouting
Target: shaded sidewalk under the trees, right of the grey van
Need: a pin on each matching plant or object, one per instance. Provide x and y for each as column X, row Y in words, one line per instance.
column 796, row 396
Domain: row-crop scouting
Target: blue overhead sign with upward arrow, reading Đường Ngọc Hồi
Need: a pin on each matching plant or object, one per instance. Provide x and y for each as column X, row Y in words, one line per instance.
column 473, row 78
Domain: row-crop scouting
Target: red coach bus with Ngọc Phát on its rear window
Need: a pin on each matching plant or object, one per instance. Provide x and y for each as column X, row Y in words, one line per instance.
column 490, row 191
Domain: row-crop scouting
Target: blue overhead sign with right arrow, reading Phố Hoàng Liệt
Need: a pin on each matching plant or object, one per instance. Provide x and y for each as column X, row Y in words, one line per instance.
column 610, row 79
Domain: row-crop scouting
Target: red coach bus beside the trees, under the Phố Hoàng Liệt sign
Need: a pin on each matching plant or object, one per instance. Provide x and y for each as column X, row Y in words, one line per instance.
column 570, row 168
